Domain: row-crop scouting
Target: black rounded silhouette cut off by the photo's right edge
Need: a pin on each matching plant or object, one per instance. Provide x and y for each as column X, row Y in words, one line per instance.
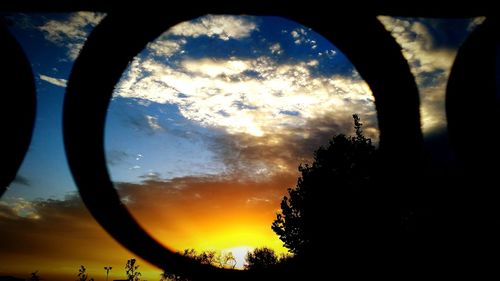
column 473, row 113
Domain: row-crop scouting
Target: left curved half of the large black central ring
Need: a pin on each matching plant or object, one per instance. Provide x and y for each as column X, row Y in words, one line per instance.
column 100, row 65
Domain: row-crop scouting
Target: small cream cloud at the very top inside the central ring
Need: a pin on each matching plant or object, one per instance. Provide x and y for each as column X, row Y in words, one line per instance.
column 223, row 27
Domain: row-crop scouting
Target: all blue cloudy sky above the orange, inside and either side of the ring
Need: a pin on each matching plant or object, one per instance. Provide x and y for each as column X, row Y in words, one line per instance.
column 162, row 123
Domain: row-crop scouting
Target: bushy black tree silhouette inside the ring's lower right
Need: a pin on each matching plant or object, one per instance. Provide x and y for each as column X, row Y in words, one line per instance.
column 331, row 189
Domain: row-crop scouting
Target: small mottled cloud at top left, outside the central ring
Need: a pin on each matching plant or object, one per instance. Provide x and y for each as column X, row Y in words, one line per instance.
column 72, row 32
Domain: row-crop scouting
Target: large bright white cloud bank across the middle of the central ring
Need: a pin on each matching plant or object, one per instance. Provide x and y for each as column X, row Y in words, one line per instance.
column 258, row 105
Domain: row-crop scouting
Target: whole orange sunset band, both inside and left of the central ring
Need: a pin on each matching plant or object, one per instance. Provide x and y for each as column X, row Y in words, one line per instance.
column 191, row 212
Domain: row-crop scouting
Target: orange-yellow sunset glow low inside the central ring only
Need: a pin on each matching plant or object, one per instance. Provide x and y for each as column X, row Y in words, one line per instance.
column 208, row 212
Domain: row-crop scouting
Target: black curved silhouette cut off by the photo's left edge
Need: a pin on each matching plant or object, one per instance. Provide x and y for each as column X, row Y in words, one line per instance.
column 18, row 100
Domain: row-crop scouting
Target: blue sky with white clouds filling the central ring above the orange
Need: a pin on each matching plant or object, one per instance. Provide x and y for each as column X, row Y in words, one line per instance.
column 199, row 84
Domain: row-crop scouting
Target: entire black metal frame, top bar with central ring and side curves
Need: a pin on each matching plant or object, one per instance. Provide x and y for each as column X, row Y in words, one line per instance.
column 372, row 50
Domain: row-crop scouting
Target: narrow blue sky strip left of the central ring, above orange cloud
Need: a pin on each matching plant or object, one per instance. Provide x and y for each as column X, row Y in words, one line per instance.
column 44, row 169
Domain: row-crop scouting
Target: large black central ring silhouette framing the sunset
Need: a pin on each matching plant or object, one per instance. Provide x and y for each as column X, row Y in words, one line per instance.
column 119, row 37
